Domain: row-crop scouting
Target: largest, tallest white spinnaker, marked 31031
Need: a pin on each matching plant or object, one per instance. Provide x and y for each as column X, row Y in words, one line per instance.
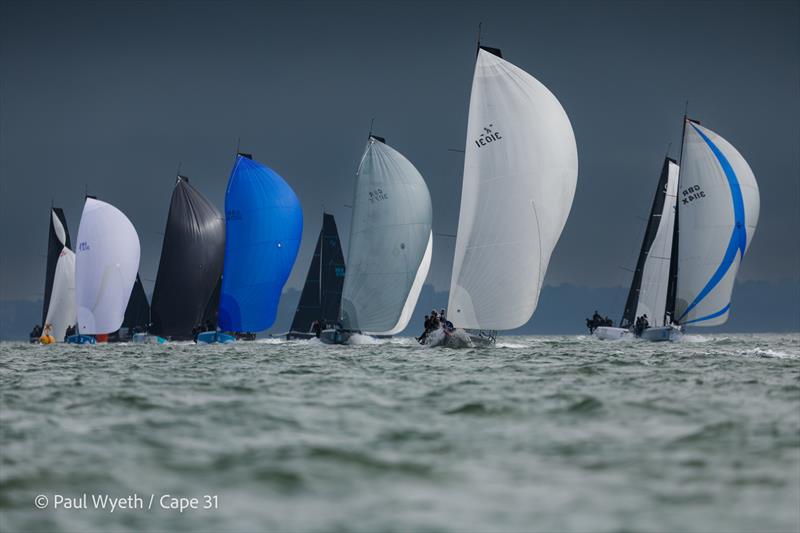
column 520, row 172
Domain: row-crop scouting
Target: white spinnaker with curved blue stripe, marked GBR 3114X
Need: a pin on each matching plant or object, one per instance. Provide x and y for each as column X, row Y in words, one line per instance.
column 718, row 205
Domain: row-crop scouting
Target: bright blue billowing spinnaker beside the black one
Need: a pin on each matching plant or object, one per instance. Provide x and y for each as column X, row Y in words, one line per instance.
column 264, row 224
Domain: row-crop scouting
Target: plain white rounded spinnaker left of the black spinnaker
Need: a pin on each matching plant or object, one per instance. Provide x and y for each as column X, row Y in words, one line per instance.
column 107, row 259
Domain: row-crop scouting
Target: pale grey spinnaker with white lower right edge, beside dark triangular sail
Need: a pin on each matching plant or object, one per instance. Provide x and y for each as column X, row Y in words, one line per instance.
column 390, row 239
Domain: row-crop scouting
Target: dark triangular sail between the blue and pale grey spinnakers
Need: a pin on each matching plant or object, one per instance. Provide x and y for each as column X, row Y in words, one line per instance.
column 322, row 293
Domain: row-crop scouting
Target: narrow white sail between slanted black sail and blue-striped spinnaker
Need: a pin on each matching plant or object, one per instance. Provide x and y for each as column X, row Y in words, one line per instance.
column 655, row 274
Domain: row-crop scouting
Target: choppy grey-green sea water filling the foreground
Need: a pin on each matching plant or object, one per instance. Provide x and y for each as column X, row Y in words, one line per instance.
column 539, row 433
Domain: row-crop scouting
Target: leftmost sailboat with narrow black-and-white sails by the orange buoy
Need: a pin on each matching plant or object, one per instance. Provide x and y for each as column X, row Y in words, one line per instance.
column 58, row 311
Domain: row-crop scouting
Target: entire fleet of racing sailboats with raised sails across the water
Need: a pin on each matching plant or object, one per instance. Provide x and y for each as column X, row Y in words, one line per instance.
column 220, row 279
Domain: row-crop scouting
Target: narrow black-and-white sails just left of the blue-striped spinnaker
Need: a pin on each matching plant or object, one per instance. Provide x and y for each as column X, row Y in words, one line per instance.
column 648, row 292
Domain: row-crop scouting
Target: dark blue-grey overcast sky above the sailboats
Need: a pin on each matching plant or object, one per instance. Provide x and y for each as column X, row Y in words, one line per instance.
column 111, row 96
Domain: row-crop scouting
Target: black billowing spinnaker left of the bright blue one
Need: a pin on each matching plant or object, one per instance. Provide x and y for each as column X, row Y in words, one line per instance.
column 191, row 262
